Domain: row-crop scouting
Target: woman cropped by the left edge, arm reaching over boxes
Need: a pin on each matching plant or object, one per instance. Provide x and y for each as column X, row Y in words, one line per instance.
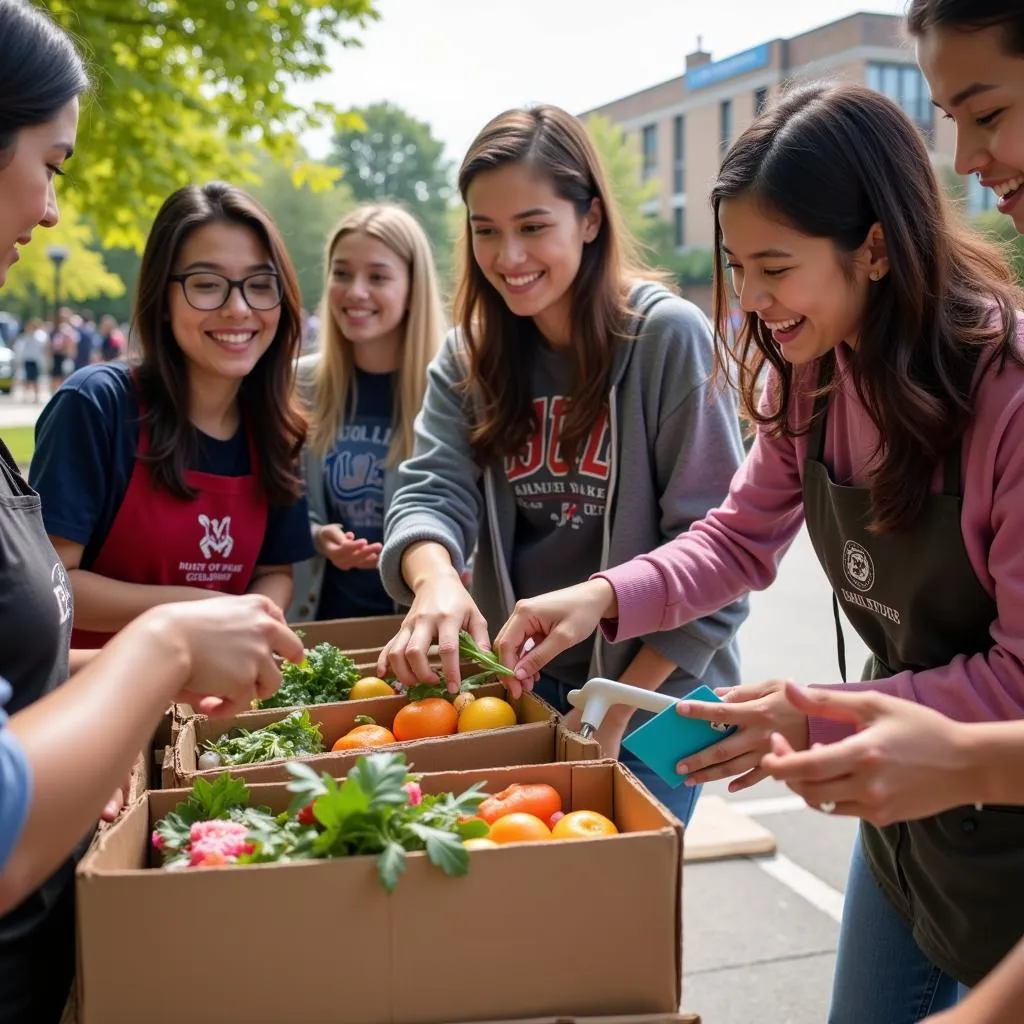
column 69, row 745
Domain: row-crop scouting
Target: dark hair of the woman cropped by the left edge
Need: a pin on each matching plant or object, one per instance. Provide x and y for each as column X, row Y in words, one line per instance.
column 40, row 72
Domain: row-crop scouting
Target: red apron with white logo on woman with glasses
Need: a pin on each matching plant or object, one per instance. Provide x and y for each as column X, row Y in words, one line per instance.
column 211, row 541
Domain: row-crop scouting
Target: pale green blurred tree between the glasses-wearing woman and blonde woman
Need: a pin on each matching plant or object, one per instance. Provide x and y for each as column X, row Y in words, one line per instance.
column 306, row 219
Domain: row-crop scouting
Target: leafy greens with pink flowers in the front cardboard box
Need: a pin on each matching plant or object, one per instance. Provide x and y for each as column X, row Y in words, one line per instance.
column 377, row 810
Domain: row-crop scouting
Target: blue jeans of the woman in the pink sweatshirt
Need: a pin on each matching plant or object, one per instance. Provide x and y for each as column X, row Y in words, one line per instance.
column 882, row 977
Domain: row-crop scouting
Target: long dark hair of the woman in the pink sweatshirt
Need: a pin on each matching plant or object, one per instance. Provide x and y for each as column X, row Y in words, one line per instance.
column 833, row 161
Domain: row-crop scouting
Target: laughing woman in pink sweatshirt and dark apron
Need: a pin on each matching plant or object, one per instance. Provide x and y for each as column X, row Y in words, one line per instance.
column 893, row 424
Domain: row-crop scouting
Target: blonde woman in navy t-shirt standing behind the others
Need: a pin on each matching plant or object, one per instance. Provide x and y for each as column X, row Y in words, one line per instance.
column 382, row 325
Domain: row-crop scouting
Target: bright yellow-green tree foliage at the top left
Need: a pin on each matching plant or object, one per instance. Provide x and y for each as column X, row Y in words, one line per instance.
column 185, row 88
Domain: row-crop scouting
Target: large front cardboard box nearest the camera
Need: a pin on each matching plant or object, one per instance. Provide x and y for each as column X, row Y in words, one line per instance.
column 584, row 928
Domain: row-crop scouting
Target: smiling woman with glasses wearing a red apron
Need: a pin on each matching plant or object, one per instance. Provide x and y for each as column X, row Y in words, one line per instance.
column 177, row 478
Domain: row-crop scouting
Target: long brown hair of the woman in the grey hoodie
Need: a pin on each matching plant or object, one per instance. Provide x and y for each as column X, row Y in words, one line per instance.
column 556, row 145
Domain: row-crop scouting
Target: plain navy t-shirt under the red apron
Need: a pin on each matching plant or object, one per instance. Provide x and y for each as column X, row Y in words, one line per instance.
column 87, row 441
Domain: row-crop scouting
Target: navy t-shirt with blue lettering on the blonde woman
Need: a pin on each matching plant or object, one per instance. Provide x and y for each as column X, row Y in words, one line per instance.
column 354, row 491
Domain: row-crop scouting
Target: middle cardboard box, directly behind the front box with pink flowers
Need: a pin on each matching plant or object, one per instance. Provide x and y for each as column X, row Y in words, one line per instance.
column 536, row 740
